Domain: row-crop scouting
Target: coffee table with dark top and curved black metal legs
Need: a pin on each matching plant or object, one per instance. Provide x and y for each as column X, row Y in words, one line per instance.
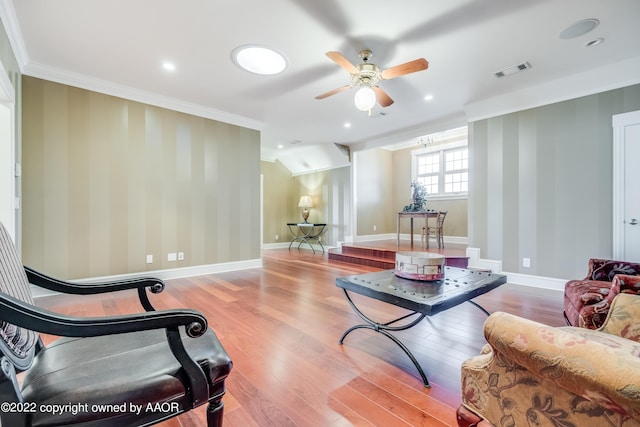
column 422, row 299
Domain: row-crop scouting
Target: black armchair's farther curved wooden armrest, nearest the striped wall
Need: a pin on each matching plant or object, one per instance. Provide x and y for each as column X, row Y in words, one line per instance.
column 88, row 288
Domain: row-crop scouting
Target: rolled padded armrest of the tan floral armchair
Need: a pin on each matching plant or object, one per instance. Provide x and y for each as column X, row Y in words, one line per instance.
column 600, row 367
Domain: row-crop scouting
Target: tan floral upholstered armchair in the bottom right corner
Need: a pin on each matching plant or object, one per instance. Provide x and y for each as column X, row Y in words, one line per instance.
column 530, row 374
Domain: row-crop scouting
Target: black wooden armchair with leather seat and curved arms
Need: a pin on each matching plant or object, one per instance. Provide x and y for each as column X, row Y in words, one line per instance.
column 130, row 370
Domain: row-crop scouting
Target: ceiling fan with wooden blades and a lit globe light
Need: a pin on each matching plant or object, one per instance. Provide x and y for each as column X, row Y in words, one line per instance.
column 367, row 75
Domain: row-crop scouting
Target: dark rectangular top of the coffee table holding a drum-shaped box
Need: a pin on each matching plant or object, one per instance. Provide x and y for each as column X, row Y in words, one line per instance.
column 459, row 285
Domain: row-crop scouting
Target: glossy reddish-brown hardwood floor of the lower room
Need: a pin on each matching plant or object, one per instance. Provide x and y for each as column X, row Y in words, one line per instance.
column 281, row 324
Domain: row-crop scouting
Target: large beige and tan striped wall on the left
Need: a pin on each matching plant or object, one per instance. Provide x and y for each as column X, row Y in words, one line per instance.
column 108, row 181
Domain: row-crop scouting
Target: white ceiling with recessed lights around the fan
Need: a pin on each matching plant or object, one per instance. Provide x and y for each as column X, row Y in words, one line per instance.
column 118, row 47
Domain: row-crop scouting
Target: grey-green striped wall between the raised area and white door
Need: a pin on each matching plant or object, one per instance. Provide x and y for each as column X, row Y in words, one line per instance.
column 541, row 184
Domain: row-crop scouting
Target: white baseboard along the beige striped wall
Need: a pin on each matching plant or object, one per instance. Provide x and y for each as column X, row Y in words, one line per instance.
column 168, row 274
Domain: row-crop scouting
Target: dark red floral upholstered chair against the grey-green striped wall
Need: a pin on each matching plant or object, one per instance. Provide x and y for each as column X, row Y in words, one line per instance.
column 587, row 301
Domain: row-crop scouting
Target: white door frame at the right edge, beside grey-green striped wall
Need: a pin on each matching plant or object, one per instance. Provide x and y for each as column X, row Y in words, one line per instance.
column 619, row 122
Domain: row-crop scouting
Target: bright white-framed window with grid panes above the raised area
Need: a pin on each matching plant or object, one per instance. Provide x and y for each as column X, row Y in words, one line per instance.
column 443, row 170
